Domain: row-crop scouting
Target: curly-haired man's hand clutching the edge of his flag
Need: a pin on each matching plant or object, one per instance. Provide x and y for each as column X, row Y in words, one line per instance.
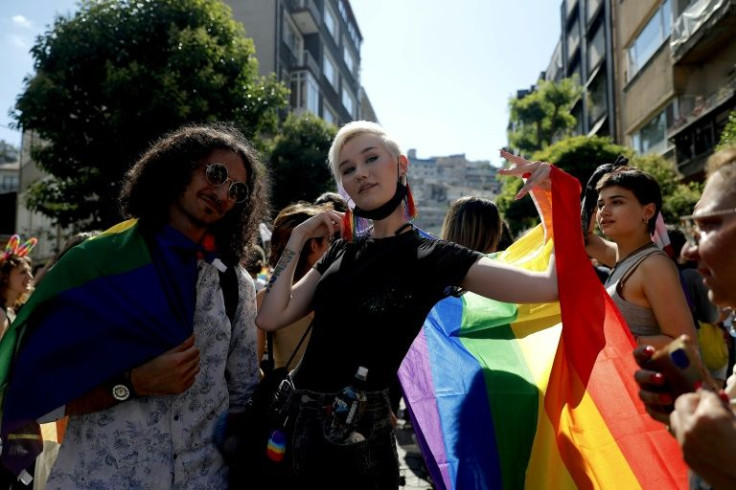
column 171, row 373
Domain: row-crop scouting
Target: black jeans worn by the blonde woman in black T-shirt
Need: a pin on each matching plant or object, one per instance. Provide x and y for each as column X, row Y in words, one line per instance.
column 318, row 463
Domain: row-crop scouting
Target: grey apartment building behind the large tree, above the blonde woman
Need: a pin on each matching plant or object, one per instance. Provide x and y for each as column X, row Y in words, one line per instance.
column 313, row 46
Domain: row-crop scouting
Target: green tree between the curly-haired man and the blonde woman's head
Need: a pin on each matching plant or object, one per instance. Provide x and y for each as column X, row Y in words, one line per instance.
column 299, row 160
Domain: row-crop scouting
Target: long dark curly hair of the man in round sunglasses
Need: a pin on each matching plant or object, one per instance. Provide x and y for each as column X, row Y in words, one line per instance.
column 160, row 176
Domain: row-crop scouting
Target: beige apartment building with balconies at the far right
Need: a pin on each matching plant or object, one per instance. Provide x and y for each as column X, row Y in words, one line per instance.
column 677, row 83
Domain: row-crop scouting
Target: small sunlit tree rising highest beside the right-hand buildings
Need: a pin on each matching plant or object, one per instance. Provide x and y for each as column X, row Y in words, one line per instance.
column 543, row 116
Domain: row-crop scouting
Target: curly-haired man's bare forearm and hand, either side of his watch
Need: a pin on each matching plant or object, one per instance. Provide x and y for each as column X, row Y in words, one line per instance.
column 170, row 373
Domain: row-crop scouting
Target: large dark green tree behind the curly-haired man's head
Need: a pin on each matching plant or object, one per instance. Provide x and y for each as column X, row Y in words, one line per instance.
column 115, row 76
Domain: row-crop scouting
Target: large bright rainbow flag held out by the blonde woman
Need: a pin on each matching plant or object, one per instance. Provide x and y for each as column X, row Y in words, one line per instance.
column 536, row 396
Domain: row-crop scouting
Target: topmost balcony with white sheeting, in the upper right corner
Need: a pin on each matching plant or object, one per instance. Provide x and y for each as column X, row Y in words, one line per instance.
column 702, row 27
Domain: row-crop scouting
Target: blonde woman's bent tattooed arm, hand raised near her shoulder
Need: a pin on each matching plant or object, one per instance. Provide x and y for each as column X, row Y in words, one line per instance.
column 285, row 303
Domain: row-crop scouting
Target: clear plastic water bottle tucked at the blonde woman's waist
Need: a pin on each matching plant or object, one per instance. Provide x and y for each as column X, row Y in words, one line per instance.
column 347, row 410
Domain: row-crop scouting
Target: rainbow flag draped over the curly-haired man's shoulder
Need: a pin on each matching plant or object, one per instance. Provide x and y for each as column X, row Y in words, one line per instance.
column 105, row 307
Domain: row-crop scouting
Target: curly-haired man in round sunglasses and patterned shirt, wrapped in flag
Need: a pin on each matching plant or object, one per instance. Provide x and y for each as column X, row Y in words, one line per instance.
column 171, row 357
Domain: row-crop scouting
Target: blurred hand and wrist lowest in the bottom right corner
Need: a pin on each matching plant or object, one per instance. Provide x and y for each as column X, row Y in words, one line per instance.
column 706, row 430
